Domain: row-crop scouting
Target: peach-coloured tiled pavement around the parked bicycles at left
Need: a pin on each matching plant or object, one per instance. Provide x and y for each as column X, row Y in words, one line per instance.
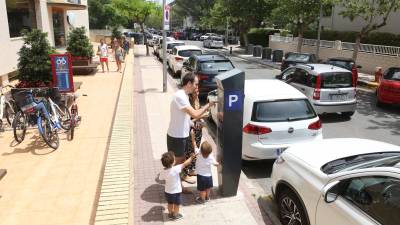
column 43, row 186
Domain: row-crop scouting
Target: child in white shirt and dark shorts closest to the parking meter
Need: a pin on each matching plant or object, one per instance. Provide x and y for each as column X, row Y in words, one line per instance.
column 204, row 162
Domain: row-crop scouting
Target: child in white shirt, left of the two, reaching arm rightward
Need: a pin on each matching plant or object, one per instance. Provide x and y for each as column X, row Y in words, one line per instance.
column 173, row 186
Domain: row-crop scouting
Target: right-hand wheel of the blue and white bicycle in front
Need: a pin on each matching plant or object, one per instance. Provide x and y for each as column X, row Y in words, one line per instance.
column 48, row 133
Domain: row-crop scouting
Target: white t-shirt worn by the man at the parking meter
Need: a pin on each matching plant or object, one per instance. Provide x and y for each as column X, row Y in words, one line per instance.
column 179, row 123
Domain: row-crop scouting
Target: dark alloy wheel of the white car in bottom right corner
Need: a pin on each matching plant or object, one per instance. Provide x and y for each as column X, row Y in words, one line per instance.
column 291, row 211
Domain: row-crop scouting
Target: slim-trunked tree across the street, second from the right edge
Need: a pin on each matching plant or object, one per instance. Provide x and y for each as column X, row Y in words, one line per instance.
column 300, row 13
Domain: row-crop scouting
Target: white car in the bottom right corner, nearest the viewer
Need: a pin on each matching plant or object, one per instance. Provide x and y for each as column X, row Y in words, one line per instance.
column 344, row 181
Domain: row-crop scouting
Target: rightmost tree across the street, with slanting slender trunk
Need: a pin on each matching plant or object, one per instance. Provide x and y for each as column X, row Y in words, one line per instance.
column 375, row 13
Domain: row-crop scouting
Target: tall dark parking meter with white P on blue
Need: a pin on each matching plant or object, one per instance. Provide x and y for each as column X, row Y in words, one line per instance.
column 229, row 130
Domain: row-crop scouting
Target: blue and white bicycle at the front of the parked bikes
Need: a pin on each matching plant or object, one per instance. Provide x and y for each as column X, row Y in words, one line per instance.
column 35, row 113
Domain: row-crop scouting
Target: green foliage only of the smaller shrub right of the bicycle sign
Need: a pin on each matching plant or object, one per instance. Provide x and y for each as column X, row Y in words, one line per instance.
column 78, row 43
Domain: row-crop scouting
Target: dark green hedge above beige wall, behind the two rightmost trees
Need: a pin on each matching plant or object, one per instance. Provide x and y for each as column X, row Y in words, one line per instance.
column 376, row 38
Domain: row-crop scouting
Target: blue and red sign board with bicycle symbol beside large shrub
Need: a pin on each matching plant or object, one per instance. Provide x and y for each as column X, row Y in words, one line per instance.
column 61, row 66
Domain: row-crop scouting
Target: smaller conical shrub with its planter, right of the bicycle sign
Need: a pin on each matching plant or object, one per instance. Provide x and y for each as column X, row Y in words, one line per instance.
column 79, row 46
